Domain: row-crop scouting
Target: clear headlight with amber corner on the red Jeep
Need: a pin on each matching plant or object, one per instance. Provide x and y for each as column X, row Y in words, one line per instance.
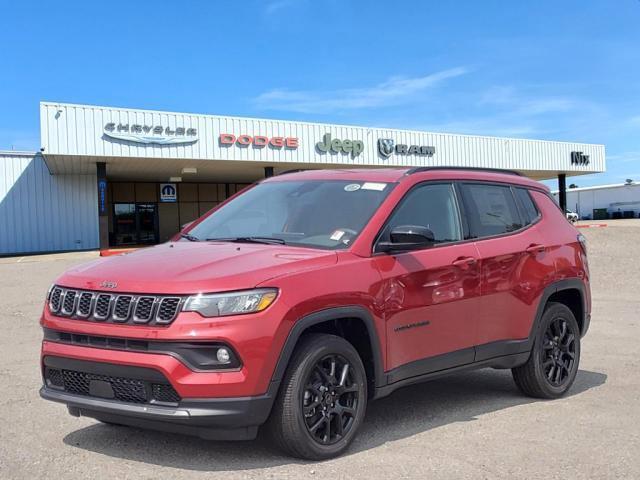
column 232, row 303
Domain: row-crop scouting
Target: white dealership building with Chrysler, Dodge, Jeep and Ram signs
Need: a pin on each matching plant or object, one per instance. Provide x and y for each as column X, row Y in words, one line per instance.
column 115, row 177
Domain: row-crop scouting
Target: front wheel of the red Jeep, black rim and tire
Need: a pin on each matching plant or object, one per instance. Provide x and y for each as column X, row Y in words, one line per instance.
column 322, row 399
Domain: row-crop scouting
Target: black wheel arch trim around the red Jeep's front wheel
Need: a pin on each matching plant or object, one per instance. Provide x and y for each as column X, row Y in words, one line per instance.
column 328, row 318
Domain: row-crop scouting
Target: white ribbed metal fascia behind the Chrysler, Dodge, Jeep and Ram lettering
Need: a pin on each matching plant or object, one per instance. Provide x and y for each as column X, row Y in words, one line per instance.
column 78, row 130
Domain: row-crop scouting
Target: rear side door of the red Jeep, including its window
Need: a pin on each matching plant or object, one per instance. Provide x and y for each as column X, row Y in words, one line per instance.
column 515, row 265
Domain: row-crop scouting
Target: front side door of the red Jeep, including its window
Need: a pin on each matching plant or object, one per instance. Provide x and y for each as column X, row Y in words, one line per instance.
column 432, row 295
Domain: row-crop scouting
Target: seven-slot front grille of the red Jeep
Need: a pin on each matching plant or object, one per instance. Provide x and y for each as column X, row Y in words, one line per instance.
column 116, row 308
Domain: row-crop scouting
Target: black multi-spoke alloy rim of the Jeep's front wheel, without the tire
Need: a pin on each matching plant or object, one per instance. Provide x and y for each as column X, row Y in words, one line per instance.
column 330, row 399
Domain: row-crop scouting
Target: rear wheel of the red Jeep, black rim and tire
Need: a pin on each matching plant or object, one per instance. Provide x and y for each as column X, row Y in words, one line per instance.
column 553, row 364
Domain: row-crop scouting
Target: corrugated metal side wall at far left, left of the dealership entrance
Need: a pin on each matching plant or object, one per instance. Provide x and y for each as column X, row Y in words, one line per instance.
column 40, row 212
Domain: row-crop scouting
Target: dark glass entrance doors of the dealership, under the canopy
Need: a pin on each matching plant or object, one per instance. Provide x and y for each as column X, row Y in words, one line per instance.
column 135, row 223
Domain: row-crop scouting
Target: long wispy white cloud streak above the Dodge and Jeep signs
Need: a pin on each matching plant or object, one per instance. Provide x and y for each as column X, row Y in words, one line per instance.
column 391, row 92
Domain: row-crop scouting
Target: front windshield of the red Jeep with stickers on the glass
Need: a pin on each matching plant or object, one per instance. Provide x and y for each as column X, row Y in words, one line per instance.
column 324, row 214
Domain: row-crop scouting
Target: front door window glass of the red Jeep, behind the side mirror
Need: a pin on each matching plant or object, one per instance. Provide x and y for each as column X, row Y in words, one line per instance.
column 433, row 206
